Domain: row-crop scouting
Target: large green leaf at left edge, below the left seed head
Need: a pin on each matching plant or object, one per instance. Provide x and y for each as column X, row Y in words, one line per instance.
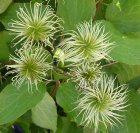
column 14, row 103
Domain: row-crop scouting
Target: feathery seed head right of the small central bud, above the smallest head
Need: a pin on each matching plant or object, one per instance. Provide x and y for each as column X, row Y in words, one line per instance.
column 89, row 43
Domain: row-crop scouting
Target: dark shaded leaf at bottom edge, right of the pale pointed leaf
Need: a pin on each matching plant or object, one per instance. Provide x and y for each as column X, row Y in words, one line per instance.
column 66, row 126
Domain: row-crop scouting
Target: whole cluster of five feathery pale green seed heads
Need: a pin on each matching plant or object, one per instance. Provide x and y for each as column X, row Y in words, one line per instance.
column 100, row 100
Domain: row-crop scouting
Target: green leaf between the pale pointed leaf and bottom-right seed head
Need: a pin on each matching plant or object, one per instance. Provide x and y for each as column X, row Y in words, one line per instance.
column 66, row 97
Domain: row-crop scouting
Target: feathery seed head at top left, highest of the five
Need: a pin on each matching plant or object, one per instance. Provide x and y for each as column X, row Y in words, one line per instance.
column 36, row 23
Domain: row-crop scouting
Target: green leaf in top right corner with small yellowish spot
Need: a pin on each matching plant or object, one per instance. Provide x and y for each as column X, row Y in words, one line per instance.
column 124, row 14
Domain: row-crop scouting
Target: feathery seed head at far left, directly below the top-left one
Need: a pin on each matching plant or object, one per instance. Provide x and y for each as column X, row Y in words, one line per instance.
column 30, row 66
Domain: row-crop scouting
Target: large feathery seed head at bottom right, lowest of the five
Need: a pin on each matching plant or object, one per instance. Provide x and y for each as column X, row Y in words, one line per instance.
column 102, row 103
